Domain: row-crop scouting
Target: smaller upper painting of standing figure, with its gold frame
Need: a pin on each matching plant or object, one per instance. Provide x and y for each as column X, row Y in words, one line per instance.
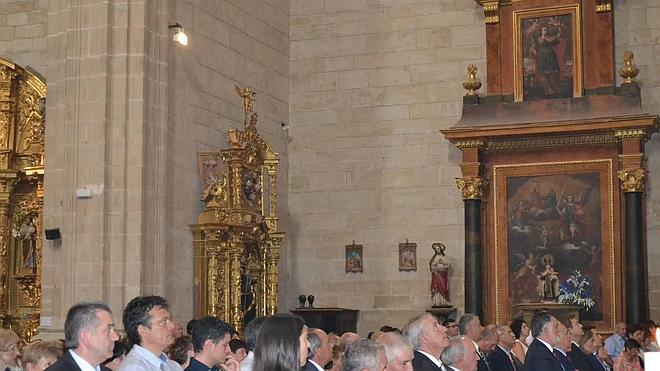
column 548, row 53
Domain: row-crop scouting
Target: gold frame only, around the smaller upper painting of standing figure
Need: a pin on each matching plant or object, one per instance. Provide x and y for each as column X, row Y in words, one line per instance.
column 518, row 16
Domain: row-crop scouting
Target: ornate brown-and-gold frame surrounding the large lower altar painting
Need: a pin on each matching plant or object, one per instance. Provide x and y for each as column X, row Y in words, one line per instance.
column 501, row 172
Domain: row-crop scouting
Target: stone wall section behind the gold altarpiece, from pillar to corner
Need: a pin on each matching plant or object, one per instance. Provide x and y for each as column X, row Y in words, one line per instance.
column 244, row 42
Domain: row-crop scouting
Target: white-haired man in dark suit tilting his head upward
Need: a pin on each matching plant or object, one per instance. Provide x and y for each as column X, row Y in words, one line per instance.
column 429, row 338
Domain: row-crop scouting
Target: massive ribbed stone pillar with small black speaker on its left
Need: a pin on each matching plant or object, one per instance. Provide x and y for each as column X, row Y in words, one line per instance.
column 107, row 103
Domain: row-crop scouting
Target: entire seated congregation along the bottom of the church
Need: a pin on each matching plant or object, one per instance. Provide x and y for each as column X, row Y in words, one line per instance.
column 283, row 342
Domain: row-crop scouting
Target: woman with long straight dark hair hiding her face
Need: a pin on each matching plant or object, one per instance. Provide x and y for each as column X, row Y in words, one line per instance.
column 282, row 344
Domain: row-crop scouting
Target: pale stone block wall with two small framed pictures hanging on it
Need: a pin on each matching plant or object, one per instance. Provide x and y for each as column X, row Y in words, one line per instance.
column 372, row 83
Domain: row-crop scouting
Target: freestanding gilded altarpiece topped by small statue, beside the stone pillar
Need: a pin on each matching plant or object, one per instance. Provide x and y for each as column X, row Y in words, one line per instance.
column 237, row 238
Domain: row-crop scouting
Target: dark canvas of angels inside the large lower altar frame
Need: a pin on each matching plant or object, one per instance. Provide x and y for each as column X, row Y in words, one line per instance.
column 554, row 234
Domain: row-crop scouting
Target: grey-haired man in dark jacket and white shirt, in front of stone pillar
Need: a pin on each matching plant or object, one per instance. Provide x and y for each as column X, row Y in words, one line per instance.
column 89, row 337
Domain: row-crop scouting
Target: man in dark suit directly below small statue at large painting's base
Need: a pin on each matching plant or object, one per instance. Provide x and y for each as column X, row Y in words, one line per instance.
column 540, row 356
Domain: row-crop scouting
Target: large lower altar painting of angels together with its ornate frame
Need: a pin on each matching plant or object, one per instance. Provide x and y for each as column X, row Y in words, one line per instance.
column 556, row 219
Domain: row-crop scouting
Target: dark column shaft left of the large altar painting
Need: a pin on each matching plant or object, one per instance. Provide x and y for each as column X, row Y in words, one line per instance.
column 473, row 268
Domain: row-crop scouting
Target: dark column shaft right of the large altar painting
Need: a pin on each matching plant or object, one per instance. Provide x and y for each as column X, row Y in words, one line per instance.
column 637, row 294
